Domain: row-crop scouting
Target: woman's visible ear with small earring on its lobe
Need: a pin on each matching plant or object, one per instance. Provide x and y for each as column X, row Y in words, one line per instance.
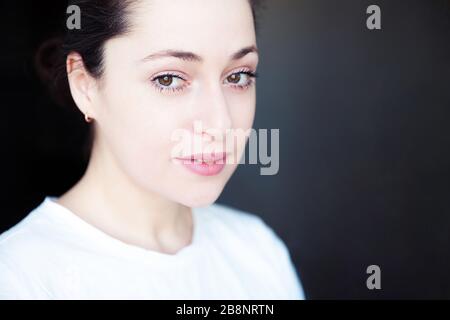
column 82, row 84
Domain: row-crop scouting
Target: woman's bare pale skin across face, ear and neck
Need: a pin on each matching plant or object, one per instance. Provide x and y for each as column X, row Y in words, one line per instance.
column 131, row 189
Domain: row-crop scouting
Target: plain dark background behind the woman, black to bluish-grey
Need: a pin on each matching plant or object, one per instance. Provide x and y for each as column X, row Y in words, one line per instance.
column 364, row 139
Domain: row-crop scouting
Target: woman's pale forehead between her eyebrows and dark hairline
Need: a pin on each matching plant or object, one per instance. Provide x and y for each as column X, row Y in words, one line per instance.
column 205, row 26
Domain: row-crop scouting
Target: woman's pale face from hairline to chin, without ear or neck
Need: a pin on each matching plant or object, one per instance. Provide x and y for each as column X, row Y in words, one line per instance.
column 146, row 96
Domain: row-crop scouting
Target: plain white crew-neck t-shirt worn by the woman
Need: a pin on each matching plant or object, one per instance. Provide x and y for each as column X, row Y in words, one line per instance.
column 54, row 254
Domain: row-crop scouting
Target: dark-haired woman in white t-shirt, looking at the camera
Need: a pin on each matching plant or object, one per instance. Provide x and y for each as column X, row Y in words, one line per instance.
column 142, row 223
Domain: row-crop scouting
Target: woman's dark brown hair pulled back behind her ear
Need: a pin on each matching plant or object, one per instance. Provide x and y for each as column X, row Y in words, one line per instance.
column 101, row 20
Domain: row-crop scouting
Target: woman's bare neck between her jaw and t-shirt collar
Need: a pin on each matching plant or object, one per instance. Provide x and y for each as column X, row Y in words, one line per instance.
column 108, row 199
